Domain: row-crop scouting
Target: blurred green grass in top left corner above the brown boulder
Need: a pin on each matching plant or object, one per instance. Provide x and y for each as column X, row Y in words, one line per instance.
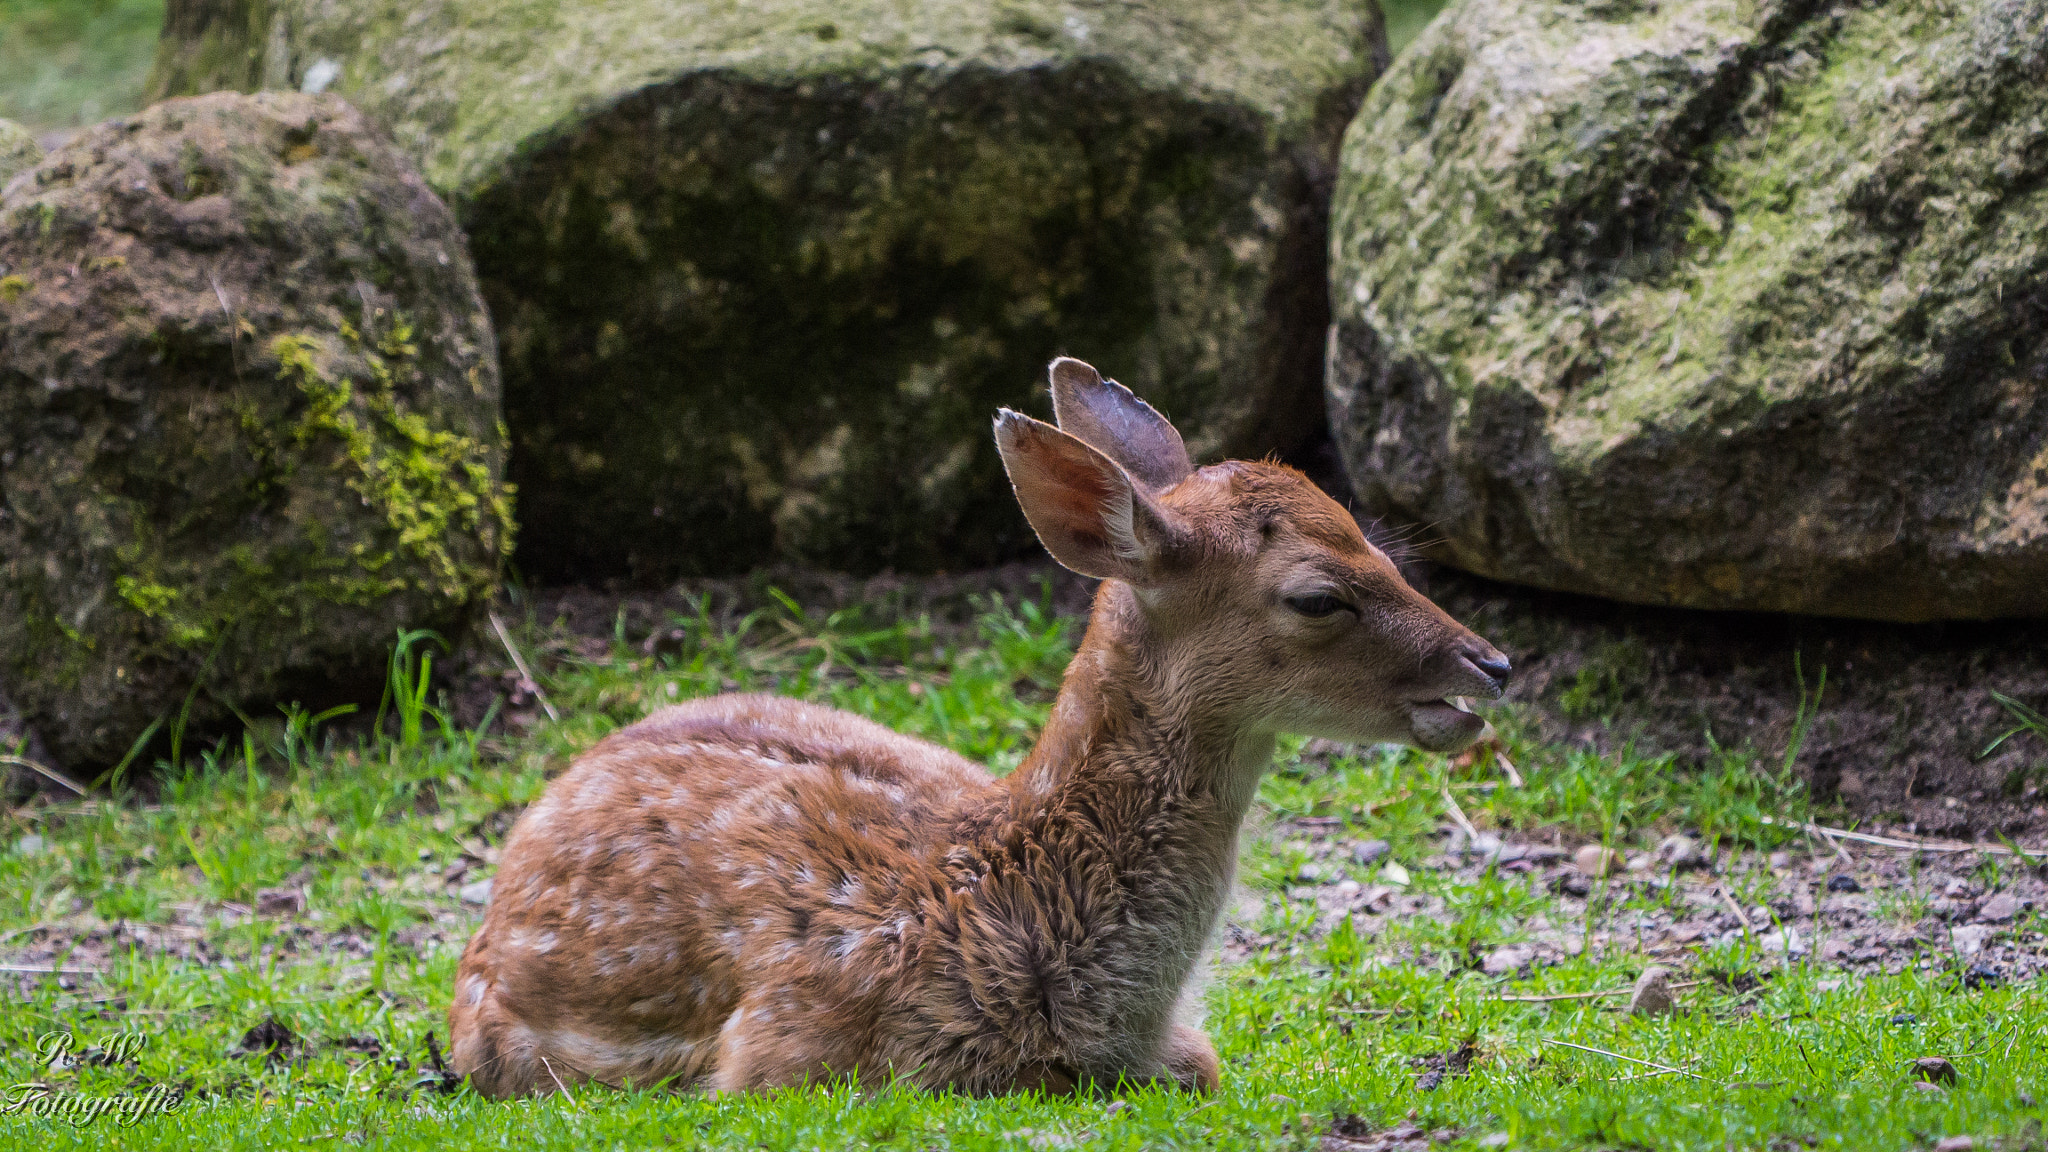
column 75, row 63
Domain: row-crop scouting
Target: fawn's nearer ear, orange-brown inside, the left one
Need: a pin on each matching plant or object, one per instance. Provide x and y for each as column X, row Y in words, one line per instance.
column 1084, row 507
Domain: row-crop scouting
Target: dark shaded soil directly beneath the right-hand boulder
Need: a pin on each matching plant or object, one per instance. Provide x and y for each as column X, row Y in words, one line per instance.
column 1897, row 735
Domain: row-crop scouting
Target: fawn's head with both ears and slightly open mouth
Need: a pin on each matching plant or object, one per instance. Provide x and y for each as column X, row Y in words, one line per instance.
column 1256, row 591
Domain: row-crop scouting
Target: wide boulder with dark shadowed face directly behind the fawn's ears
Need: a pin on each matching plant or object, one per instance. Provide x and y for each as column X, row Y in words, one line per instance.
column 763, row 272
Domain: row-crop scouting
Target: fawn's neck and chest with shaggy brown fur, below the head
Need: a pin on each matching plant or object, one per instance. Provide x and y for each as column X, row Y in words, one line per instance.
column 1134, row 796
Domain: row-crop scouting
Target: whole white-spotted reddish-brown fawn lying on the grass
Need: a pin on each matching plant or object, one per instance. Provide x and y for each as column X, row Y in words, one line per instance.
column 751, row 893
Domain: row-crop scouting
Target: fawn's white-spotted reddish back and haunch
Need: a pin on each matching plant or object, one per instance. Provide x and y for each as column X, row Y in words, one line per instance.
column 689, row 854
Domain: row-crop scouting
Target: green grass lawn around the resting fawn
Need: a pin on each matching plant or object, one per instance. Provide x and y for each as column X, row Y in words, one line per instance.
column 1385, row 1026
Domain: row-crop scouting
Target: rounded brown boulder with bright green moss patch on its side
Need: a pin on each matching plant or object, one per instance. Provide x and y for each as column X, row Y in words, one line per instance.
column 249, row 419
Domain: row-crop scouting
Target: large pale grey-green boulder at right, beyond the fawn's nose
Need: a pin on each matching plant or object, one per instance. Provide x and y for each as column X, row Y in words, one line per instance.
column 1709, row 304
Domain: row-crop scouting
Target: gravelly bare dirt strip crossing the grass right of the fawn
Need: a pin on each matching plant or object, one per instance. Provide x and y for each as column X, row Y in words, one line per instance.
column 1857, row 911
